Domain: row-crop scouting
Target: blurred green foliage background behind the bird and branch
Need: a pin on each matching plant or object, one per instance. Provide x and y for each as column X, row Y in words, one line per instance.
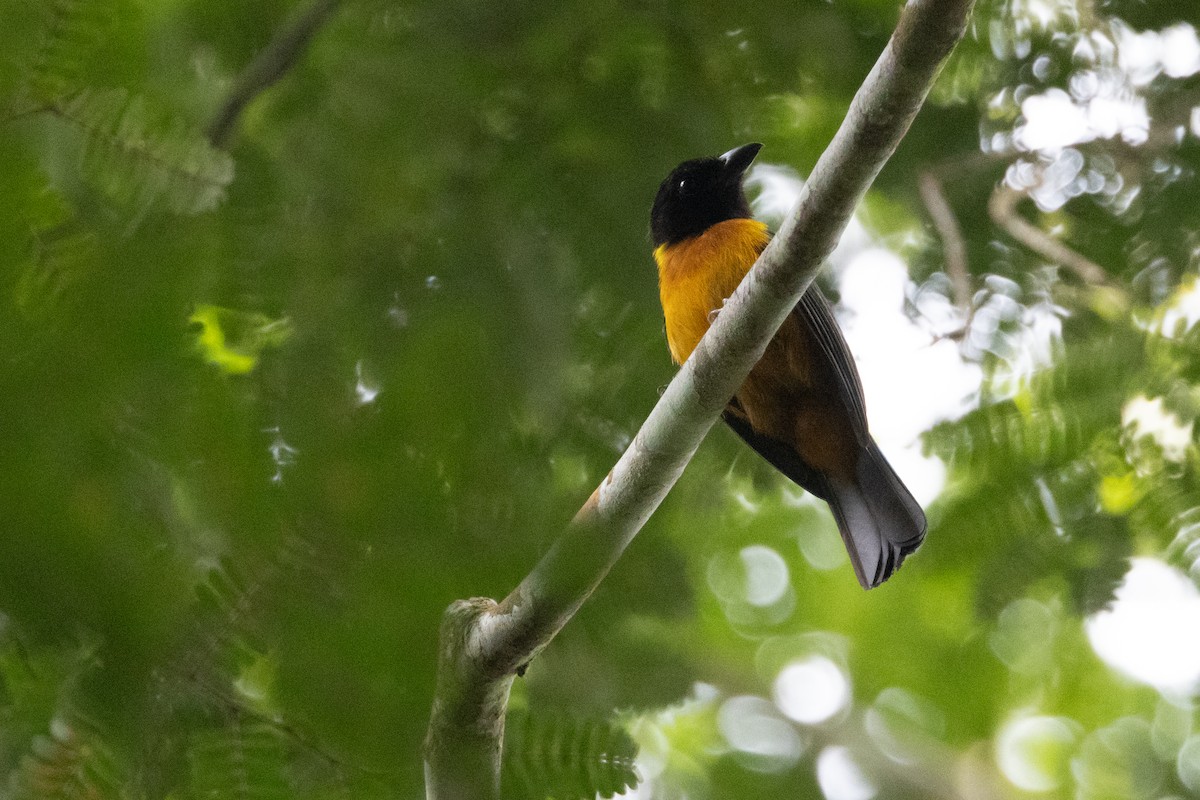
column 269, row 407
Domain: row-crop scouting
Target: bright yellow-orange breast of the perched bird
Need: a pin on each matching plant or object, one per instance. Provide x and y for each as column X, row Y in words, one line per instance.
column 697, row 276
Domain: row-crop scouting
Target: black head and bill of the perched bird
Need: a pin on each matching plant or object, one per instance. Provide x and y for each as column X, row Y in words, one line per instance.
column 700, row 194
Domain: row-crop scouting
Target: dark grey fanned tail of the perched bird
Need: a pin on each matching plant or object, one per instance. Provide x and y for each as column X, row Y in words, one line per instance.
column 879, row 520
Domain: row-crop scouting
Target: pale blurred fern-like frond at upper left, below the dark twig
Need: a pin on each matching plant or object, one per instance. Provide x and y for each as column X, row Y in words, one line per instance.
column 141, row 164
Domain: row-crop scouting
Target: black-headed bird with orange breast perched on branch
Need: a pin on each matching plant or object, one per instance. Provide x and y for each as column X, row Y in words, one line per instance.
column 802, row 406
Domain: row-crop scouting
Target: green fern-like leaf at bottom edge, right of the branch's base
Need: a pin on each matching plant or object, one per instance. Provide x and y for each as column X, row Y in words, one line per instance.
column 565, row 759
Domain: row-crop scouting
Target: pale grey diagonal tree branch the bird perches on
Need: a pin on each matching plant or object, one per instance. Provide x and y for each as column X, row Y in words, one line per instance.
column 484, row 645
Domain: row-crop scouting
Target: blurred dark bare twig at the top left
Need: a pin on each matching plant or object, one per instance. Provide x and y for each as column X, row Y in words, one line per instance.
column 272, row 64
